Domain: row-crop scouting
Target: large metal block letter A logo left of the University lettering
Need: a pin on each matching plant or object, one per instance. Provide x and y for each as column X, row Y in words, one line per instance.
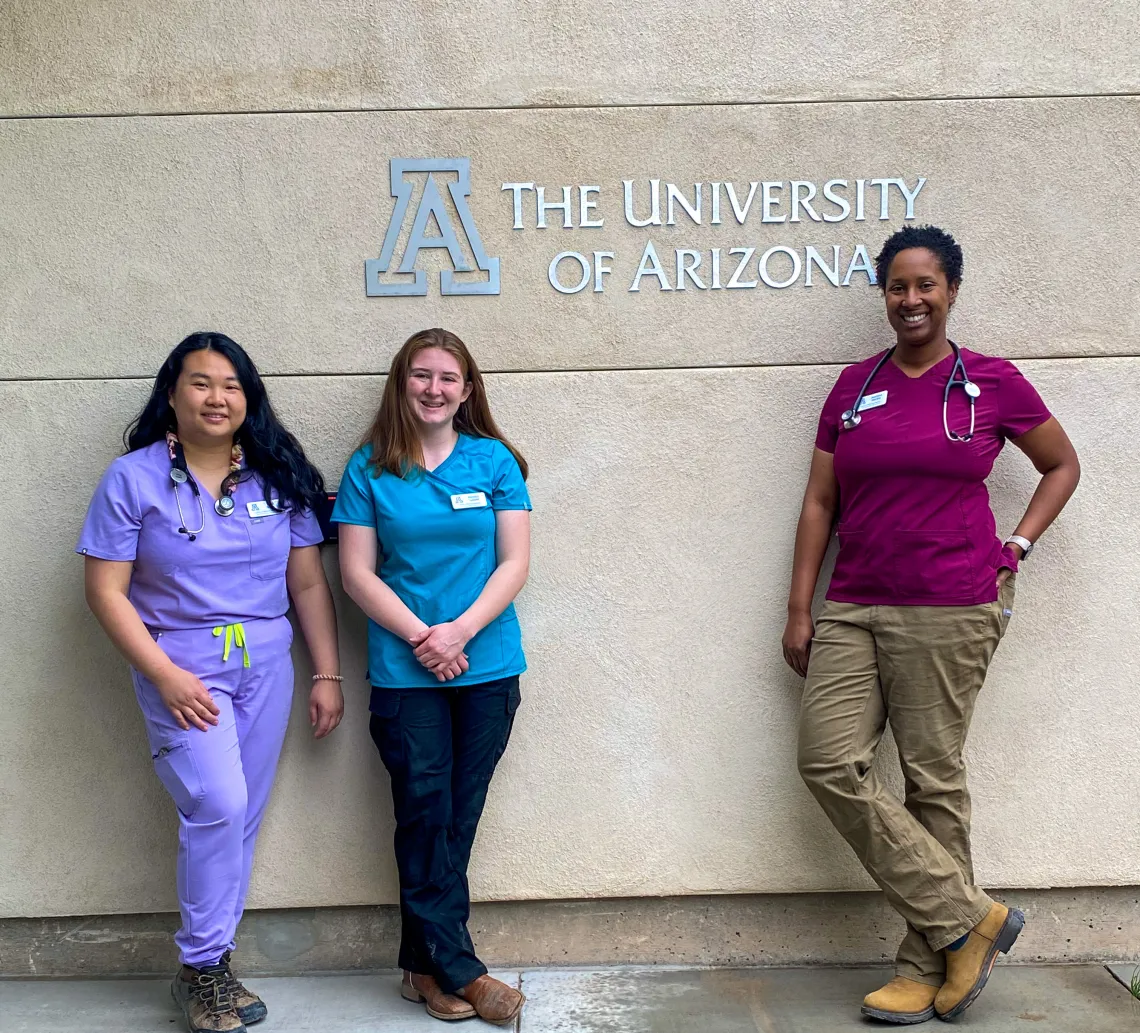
column 431, row 205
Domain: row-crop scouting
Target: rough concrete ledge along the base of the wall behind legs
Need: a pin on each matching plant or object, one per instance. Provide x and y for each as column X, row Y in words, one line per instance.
column 1081, row 925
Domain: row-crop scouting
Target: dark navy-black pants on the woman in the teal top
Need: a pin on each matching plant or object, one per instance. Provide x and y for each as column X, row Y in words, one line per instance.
column 441, row 746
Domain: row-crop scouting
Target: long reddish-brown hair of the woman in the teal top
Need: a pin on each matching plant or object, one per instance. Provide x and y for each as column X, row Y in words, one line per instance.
column 394, row 436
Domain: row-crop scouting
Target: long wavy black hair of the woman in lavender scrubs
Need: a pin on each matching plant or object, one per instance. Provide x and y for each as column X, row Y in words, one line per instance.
column 272, row 453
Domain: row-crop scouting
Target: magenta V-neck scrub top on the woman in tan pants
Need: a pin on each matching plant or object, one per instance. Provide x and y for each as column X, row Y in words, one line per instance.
column 915, row 522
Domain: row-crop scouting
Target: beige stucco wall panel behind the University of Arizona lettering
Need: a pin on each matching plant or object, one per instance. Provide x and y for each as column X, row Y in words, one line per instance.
column 263, row 225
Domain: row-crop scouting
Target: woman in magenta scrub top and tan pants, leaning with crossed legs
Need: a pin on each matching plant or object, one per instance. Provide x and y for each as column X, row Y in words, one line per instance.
column 921, row 598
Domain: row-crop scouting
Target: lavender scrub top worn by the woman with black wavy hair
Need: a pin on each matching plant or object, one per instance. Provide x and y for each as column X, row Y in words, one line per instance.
column 233, row 572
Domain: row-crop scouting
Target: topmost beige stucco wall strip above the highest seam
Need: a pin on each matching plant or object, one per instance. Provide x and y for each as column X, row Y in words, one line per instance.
column 190, row 56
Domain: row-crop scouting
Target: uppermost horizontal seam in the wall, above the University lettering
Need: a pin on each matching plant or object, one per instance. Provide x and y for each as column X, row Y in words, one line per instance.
column 950, row 99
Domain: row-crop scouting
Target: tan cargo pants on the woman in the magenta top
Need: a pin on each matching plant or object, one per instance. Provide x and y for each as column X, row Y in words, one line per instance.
column 921, row 669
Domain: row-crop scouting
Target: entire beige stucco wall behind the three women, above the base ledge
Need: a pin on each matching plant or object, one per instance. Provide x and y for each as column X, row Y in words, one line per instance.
column 669, row 433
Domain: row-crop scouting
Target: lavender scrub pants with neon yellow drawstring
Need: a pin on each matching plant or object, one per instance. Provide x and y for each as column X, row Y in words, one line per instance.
column 221, row 779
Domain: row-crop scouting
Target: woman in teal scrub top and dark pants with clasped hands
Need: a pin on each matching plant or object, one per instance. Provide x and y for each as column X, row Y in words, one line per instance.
column 435, row 546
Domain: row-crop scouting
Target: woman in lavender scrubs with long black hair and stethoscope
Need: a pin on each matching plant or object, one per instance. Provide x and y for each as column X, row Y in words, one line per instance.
column 196, row 542
